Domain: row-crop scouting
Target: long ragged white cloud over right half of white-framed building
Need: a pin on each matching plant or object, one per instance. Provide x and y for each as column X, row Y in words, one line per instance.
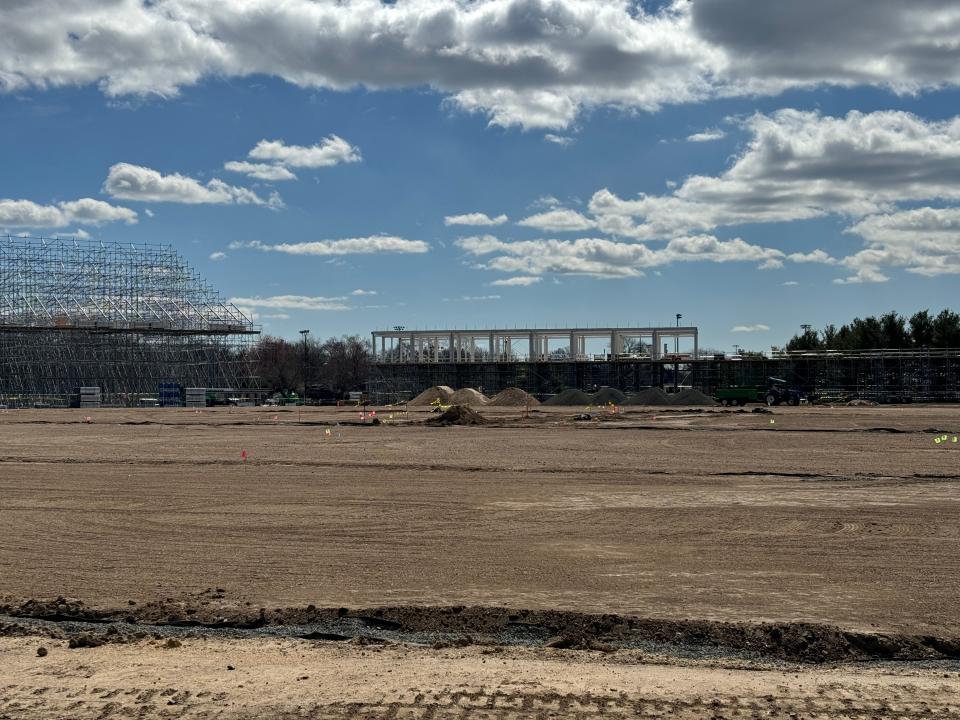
column 604, row 258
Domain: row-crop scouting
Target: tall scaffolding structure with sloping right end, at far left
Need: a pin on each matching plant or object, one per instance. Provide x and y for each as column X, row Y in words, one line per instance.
column 129, row 320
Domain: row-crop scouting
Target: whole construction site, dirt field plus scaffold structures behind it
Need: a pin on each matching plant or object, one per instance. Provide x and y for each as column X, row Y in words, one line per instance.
column 513, row 524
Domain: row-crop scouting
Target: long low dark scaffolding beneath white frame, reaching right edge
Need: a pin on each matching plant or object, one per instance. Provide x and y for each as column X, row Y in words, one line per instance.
column 880, row 375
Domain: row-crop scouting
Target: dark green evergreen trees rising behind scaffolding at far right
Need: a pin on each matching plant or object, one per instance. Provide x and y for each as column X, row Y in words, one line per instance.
column 889, row 331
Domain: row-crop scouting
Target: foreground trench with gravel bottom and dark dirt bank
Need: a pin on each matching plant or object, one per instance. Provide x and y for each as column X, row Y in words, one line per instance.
column 203, row 615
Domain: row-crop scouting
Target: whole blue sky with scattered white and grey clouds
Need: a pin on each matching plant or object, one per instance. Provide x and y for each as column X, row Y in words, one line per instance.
column 349, row 166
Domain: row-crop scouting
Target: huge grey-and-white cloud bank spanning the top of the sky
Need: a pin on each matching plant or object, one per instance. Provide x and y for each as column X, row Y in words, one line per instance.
column 534, row 63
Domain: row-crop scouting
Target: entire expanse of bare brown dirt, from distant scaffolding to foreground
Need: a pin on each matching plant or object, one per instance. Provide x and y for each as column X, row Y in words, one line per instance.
column 702, row 526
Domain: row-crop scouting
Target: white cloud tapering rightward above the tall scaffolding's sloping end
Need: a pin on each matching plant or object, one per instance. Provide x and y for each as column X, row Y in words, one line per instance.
column 135, row 182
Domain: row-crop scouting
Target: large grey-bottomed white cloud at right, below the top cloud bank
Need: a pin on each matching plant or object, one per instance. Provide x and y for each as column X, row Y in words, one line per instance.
column 802, row 165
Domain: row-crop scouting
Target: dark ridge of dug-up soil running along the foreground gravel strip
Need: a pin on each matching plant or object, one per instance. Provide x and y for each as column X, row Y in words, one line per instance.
column 789, row 641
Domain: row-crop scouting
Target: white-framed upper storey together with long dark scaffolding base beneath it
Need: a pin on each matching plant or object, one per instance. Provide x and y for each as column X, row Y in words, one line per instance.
column 633, row 359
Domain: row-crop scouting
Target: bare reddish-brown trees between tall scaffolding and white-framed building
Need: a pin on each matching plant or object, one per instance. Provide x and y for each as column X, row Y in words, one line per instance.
column 324, row 368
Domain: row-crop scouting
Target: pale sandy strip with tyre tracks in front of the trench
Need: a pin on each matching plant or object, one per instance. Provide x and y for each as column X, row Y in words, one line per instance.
column 284, row 679
